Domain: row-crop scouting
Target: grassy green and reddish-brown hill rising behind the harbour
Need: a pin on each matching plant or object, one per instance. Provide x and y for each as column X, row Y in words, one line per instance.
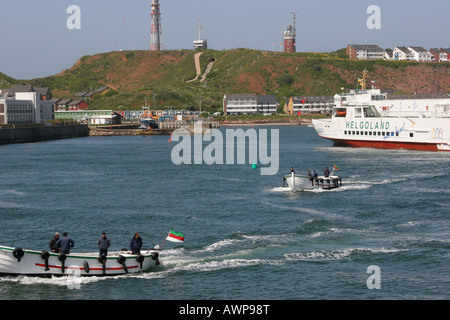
column 161, row 76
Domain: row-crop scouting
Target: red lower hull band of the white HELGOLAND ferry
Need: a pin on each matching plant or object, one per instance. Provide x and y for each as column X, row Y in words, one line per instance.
column 387, row 145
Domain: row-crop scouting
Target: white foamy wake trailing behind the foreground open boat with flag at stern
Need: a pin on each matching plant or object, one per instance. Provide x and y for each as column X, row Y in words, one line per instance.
column 236, row 252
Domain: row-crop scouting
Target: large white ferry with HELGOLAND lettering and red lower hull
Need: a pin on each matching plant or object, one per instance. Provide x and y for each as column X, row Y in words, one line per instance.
column 366, row 118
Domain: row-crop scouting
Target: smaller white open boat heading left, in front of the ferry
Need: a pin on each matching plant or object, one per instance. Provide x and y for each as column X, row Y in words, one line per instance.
column 298, row 182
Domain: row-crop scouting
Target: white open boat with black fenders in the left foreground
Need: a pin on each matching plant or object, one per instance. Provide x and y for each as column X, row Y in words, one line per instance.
column 17, row 261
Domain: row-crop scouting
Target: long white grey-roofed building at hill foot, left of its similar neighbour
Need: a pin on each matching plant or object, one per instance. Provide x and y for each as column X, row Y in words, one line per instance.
column 250, row 104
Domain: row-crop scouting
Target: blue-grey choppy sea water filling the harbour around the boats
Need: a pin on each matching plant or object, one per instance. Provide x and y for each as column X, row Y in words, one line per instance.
column 246, row 237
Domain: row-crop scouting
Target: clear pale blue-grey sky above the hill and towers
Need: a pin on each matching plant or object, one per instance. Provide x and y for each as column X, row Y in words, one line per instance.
column 36, row 41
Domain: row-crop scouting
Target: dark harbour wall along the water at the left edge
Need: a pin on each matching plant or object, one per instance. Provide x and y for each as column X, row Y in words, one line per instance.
column 36, row 134
